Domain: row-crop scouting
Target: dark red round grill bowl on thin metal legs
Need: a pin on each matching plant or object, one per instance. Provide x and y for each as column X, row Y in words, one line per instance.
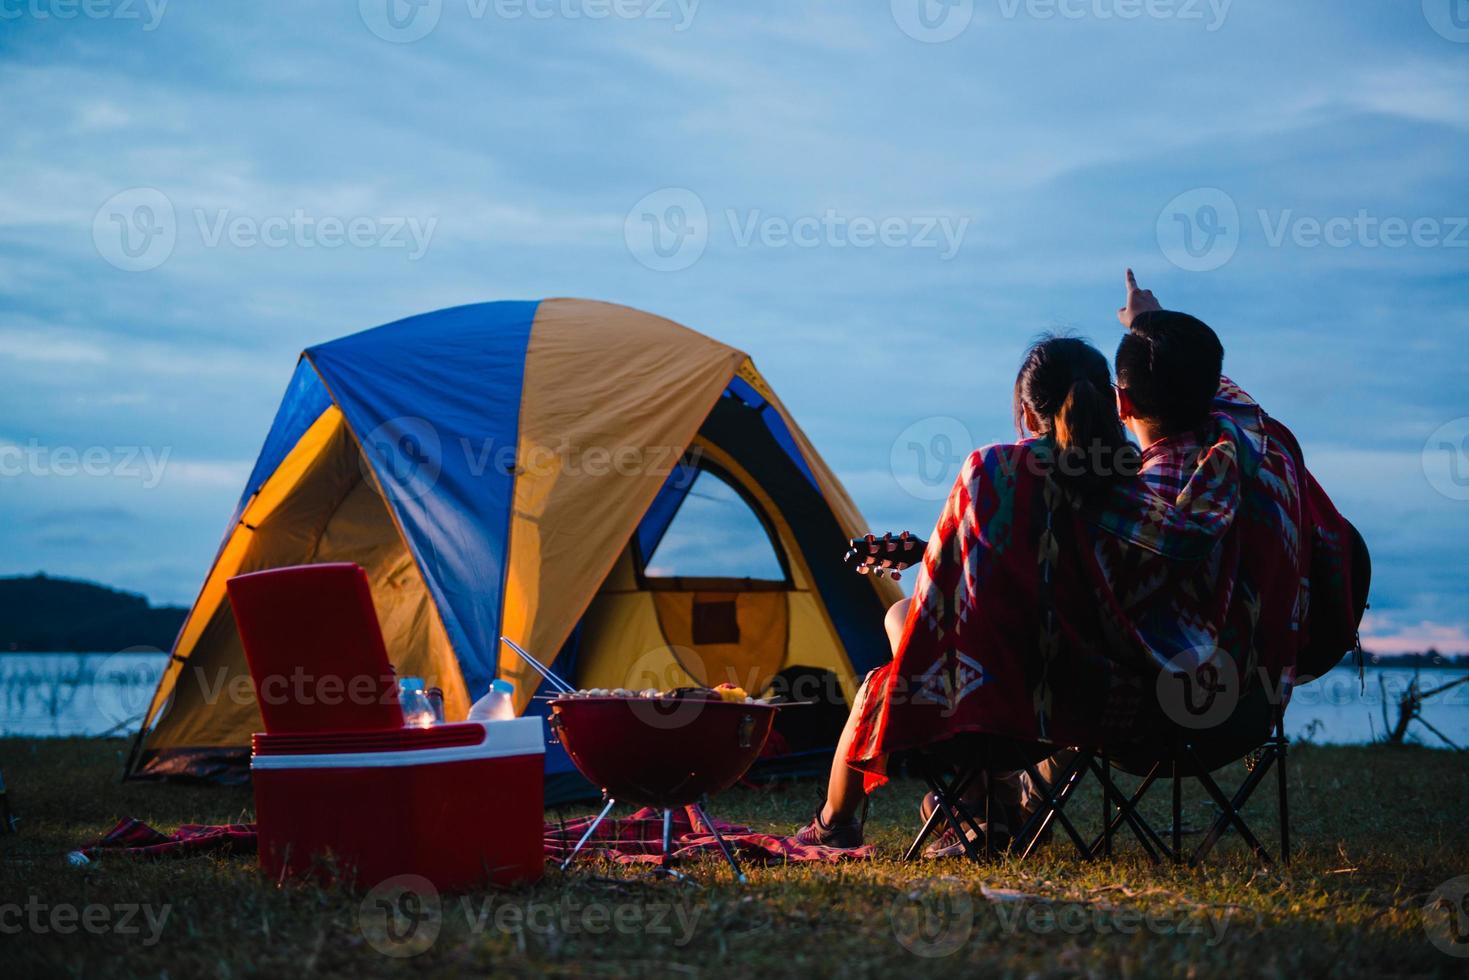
column 662, row 753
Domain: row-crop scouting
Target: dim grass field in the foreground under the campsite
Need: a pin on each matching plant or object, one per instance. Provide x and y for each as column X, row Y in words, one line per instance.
column 1377, row 832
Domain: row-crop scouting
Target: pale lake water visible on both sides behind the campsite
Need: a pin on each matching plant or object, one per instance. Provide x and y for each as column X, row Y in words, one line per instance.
column 46, row 696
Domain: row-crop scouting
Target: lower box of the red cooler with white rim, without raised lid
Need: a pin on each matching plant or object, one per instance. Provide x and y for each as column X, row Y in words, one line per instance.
column 459, row 804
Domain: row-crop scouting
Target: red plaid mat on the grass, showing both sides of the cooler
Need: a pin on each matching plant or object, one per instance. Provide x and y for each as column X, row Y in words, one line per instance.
column 628, row 840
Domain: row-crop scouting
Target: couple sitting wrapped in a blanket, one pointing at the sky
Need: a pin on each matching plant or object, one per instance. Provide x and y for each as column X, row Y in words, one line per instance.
column 1072, row 569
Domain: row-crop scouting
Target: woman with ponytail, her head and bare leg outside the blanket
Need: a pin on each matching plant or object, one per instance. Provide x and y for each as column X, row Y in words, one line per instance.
column 1067, row 417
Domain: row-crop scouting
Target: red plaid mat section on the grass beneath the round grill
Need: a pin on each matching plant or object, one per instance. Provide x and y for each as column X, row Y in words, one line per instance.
column 638, row 840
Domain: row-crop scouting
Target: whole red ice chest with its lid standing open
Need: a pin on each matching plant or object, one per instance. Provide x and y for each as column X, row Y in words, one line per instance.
column 337, row 777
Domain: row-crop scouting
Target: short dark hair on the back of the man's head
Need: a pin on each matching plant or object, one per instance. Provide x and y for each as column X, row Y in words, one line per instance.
column 1170, row 367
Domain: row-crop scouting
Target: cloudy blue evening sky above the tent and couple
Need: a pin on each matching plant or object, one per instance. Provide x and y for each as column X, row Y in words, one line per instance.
column 530, row 140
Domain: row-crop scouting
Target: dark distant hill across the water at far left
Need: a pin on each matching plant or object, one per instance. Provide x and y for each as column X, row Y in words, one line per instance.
column 45, row 615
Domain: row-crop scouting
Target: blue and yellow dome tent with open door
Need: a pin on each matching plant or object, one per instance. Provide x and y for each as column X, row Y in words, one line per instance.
column 506, row 469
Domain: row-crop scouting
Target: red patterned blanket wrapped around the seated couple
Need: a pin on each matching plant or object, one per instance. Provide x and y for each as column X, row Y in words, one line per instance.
column 1044, row 616
